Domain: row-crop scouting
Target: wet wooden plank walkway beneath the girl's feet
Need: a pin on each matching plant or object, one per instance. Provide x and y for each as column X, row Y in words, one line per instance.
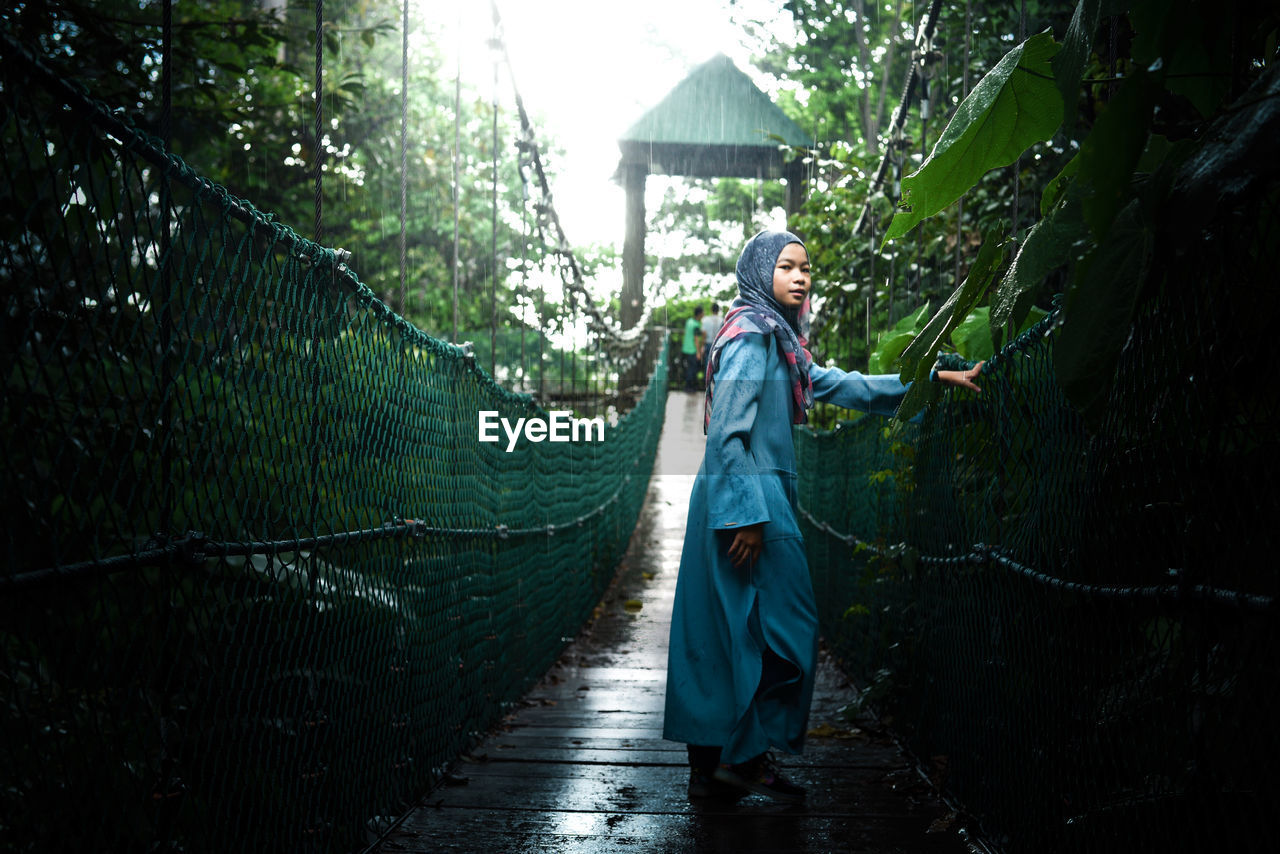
column 583, row 766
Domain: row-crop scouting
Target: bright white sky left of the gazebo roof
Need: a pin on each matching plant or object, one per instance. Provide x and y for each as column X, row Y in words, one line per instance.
column 588, row 70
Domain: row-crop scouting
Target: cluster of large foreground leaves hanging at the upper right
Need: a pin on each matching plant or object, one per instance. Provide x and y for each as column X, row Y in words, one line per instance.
column 1103, row 211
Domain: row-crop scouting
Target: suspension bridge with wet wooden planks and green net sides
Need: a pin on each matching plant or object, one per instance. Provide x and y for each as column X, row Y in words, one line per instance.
column 267, row 591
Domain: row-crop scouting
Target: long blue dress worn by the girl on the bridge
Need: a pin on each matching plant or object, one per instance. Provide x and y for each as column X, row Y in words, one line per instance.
column 726, row 618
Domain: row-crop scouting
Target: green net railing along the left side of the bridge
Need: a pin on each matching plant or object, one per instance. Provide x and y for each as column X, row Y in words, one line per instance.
column 262, row 581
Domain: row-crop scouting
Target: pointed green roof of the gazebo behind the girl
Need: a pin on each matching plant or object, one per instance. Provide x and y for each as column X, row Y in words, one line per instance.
column 714, row 124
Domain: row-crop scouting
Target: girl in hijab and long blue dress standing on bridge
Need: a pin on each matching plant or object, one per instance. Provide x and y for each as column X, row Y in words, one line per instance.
column 744, row 633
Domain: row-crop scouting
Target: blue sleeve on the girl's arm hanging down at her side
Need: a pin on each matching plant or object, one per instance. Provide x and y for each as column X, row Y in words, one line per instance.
column 734, row 485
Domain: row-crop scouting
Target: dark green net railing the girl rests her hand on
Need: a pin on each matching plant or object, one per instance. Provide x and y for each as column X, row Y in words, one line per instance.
column 1075, row 627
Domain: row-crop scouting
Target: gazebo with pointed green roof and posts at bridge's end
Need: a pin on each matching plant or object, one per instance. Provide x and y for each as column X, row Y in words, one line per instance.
column 716, row 124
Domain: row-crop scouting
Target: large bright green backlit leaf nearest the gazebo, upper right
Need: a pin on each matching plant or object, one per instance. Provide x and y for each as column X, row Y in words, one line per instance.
column 1014, row 107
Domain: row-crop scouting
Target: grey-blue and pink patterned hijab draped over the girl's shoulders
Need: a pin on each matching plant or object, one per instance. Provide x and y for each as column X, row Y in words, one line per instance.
column 756, row 310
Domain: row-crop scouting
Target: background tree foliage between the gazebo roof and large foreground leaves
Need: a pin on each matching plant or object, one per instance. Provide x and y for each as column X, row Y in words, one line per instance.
column 849, row 62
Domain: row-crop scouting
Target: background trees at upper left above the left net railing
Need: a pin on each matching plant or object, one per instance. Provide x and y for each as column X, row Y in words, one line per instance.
column 245, row 118
